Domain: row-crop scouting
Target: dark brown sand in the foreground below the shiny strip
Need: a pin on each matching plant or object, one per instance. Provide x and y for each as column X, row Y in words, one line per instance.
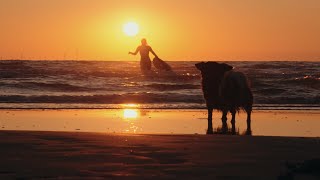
column 81, row 155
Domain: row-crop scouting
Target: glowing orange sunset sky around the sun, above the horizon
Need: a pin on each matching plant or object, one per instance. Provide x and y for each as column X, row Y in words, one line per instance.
column 176, row 29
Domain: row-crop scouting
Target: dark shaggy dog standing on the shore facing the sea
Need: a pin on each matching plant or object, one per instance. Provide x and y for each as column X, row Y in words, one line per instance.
column 225, row 90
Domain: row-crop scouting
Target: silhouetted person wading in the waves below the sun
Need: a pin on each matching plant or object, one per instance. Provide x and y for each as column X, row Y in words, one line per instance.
column 144, row 49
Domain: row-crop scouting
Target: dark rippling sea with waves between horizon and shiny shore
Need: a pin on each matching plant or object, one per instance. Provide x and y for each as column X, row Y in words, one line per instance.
column 113, row 84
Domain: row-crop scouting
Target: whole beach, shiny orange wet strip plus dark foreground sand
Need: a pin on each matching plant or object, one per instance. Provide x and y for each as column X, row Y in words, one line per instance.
column 142, row 144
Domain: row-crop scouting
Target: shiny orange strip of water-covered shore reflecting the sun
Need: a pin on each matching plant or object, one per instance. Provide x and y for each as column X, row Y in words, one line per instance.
column 302, row 123
